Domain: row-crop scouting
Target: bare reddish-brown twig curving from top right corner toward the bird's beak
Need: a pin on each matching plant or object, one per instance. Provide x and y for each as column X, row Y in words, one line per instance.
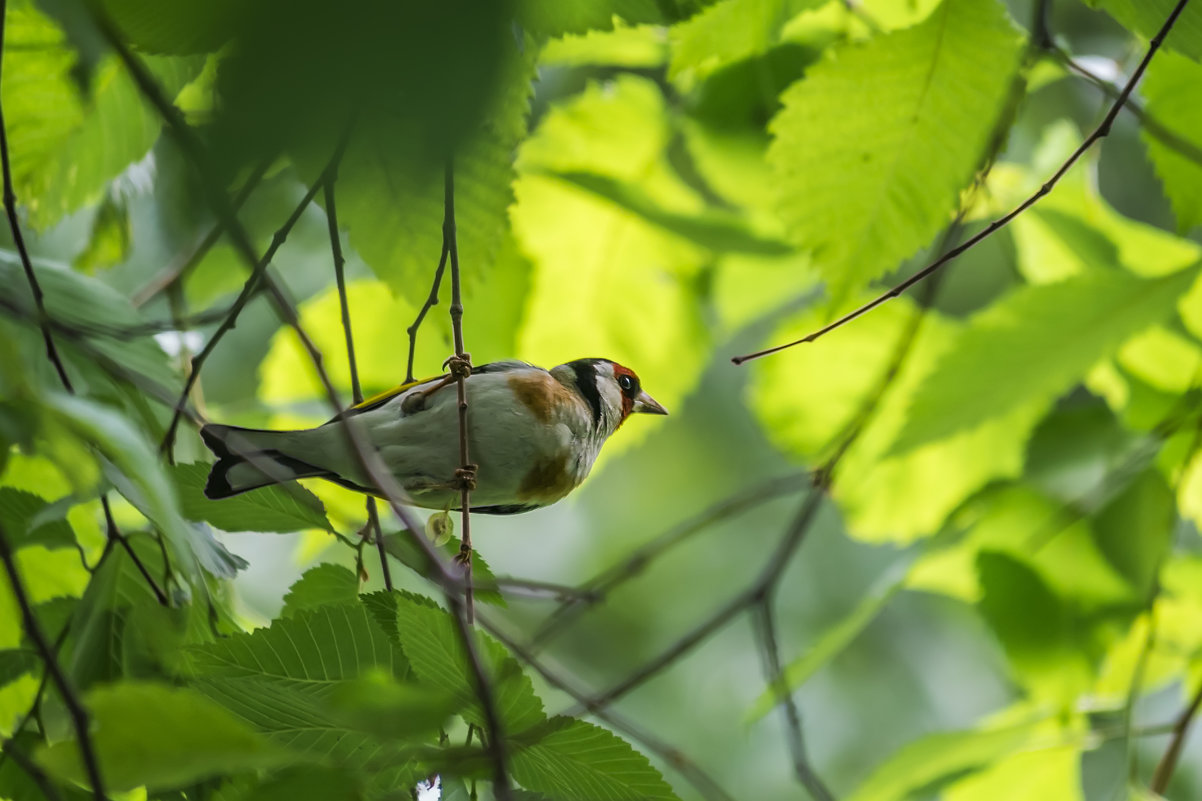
column 1099, row 133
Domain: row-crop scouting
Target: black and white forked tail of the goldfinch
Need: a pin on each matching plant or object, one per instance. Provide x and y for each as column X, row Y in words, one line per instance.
column 249, row 459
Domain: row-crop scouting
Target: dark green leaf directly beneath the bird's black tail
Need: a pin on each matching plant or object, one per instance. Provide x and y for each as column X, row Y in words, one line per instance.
column 271, row 509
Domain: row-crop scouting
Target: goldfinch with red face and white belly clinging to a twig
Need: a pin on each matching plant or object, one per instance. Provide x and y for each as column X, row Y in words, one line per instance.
column 534, row 435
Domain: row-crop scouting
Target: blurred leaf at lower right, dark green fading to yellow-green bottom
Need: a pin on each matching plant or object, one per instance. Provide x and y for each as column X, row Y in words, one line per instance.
column 1040, row 633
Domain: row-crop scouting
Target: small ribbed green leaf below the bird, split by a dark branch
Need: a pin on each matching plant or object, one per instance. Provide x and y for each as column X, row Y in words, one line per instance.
column 432, row 643
